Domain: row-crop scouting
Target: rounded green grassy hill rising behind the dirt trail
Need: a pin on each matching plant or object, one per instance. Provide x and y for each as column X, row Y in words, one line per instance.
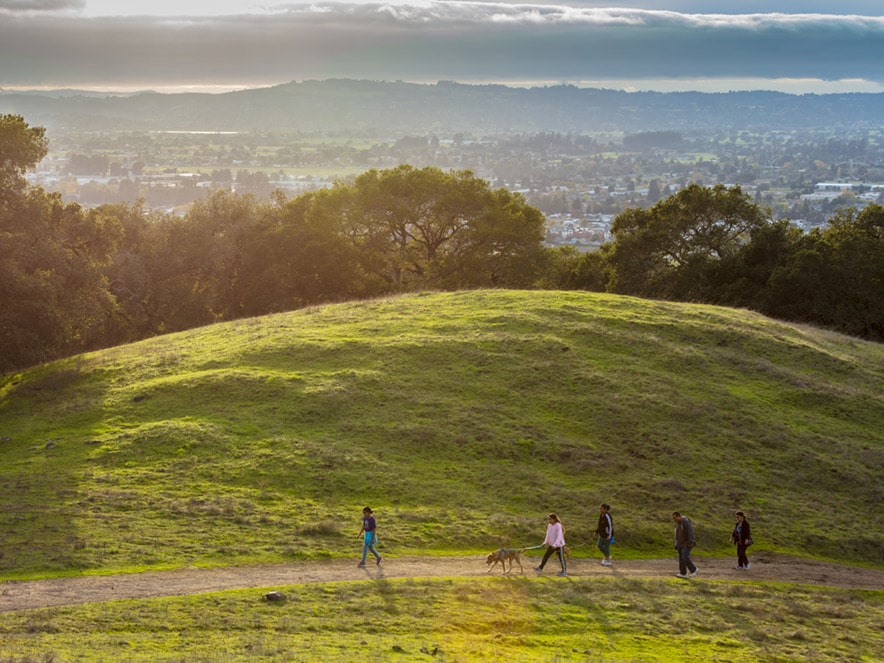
column 461, row 418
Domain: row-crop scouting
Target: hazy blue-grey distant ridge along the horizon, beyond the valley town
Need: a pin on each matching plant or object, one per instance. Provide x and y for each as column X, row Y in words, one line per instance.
column 384, row 108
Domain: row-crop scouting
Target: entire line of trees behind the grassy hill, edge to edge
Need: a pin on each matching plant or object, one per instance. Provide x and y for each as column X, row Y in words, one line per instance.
column 75, row 279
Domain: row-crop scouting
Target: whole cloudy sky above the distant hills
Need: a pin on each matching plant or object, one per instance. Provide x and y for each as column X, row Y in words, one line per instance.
column 798, row 46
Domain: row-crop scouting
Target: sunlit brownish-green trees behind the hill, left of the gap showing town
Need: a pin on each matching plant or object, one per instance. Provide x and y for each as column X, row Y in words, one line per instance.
column 74, row 279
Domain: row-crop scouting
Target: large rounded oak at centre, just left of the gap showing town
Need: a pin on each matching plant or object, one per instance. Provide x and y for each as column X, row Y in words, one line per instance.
column 425, row 228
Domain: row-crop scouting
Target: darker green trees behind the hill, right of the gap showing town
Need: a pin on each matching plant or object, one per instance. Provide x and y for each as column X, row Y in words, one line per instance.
column 716, row 246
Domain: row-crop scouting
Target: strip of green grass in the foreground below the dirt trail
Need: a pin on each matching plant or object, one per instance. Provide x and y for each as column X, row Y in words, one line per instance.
column 487, row 619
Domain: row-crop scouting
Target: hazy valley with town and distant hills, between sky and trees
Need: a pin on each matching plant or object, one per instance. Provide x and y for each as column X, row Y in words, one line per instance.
column 580, row 155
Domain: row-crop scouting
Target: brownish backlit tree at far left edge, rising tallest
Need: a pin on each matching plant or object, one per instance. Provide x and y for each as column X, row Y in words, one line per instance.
column 53, row 291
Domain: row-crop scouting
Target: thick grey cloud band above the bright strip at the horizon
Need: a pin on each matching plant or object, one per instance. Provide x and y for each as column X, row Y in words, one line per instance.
column 450, row 40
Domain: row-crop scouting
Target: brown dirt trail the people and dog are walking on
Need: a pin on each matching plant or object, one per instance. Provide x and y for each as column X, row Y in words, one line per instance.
column 24, row 595
